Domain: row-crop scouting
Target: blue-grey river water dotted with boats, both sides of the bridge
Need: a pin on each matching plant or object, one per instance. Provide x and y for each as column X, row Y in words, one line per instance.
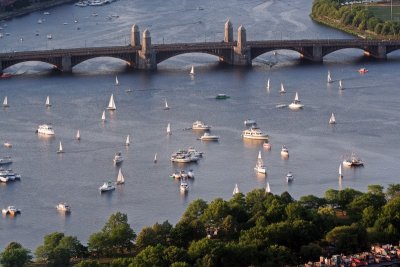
column 366, row 112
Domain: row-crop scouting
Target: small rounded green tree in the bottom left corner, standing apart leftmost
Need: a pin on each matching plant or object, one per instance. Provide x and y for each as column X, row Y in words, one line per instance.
column 15, row 255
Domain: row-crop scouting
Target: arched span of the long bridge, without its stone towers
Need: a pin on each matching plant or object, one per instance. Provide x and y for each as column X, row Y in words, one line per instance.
column 313, row 50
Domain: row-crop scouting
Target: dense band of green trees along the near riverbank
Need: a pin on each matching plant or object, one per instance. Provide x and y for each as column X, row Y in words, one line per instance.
column 256, row 229
